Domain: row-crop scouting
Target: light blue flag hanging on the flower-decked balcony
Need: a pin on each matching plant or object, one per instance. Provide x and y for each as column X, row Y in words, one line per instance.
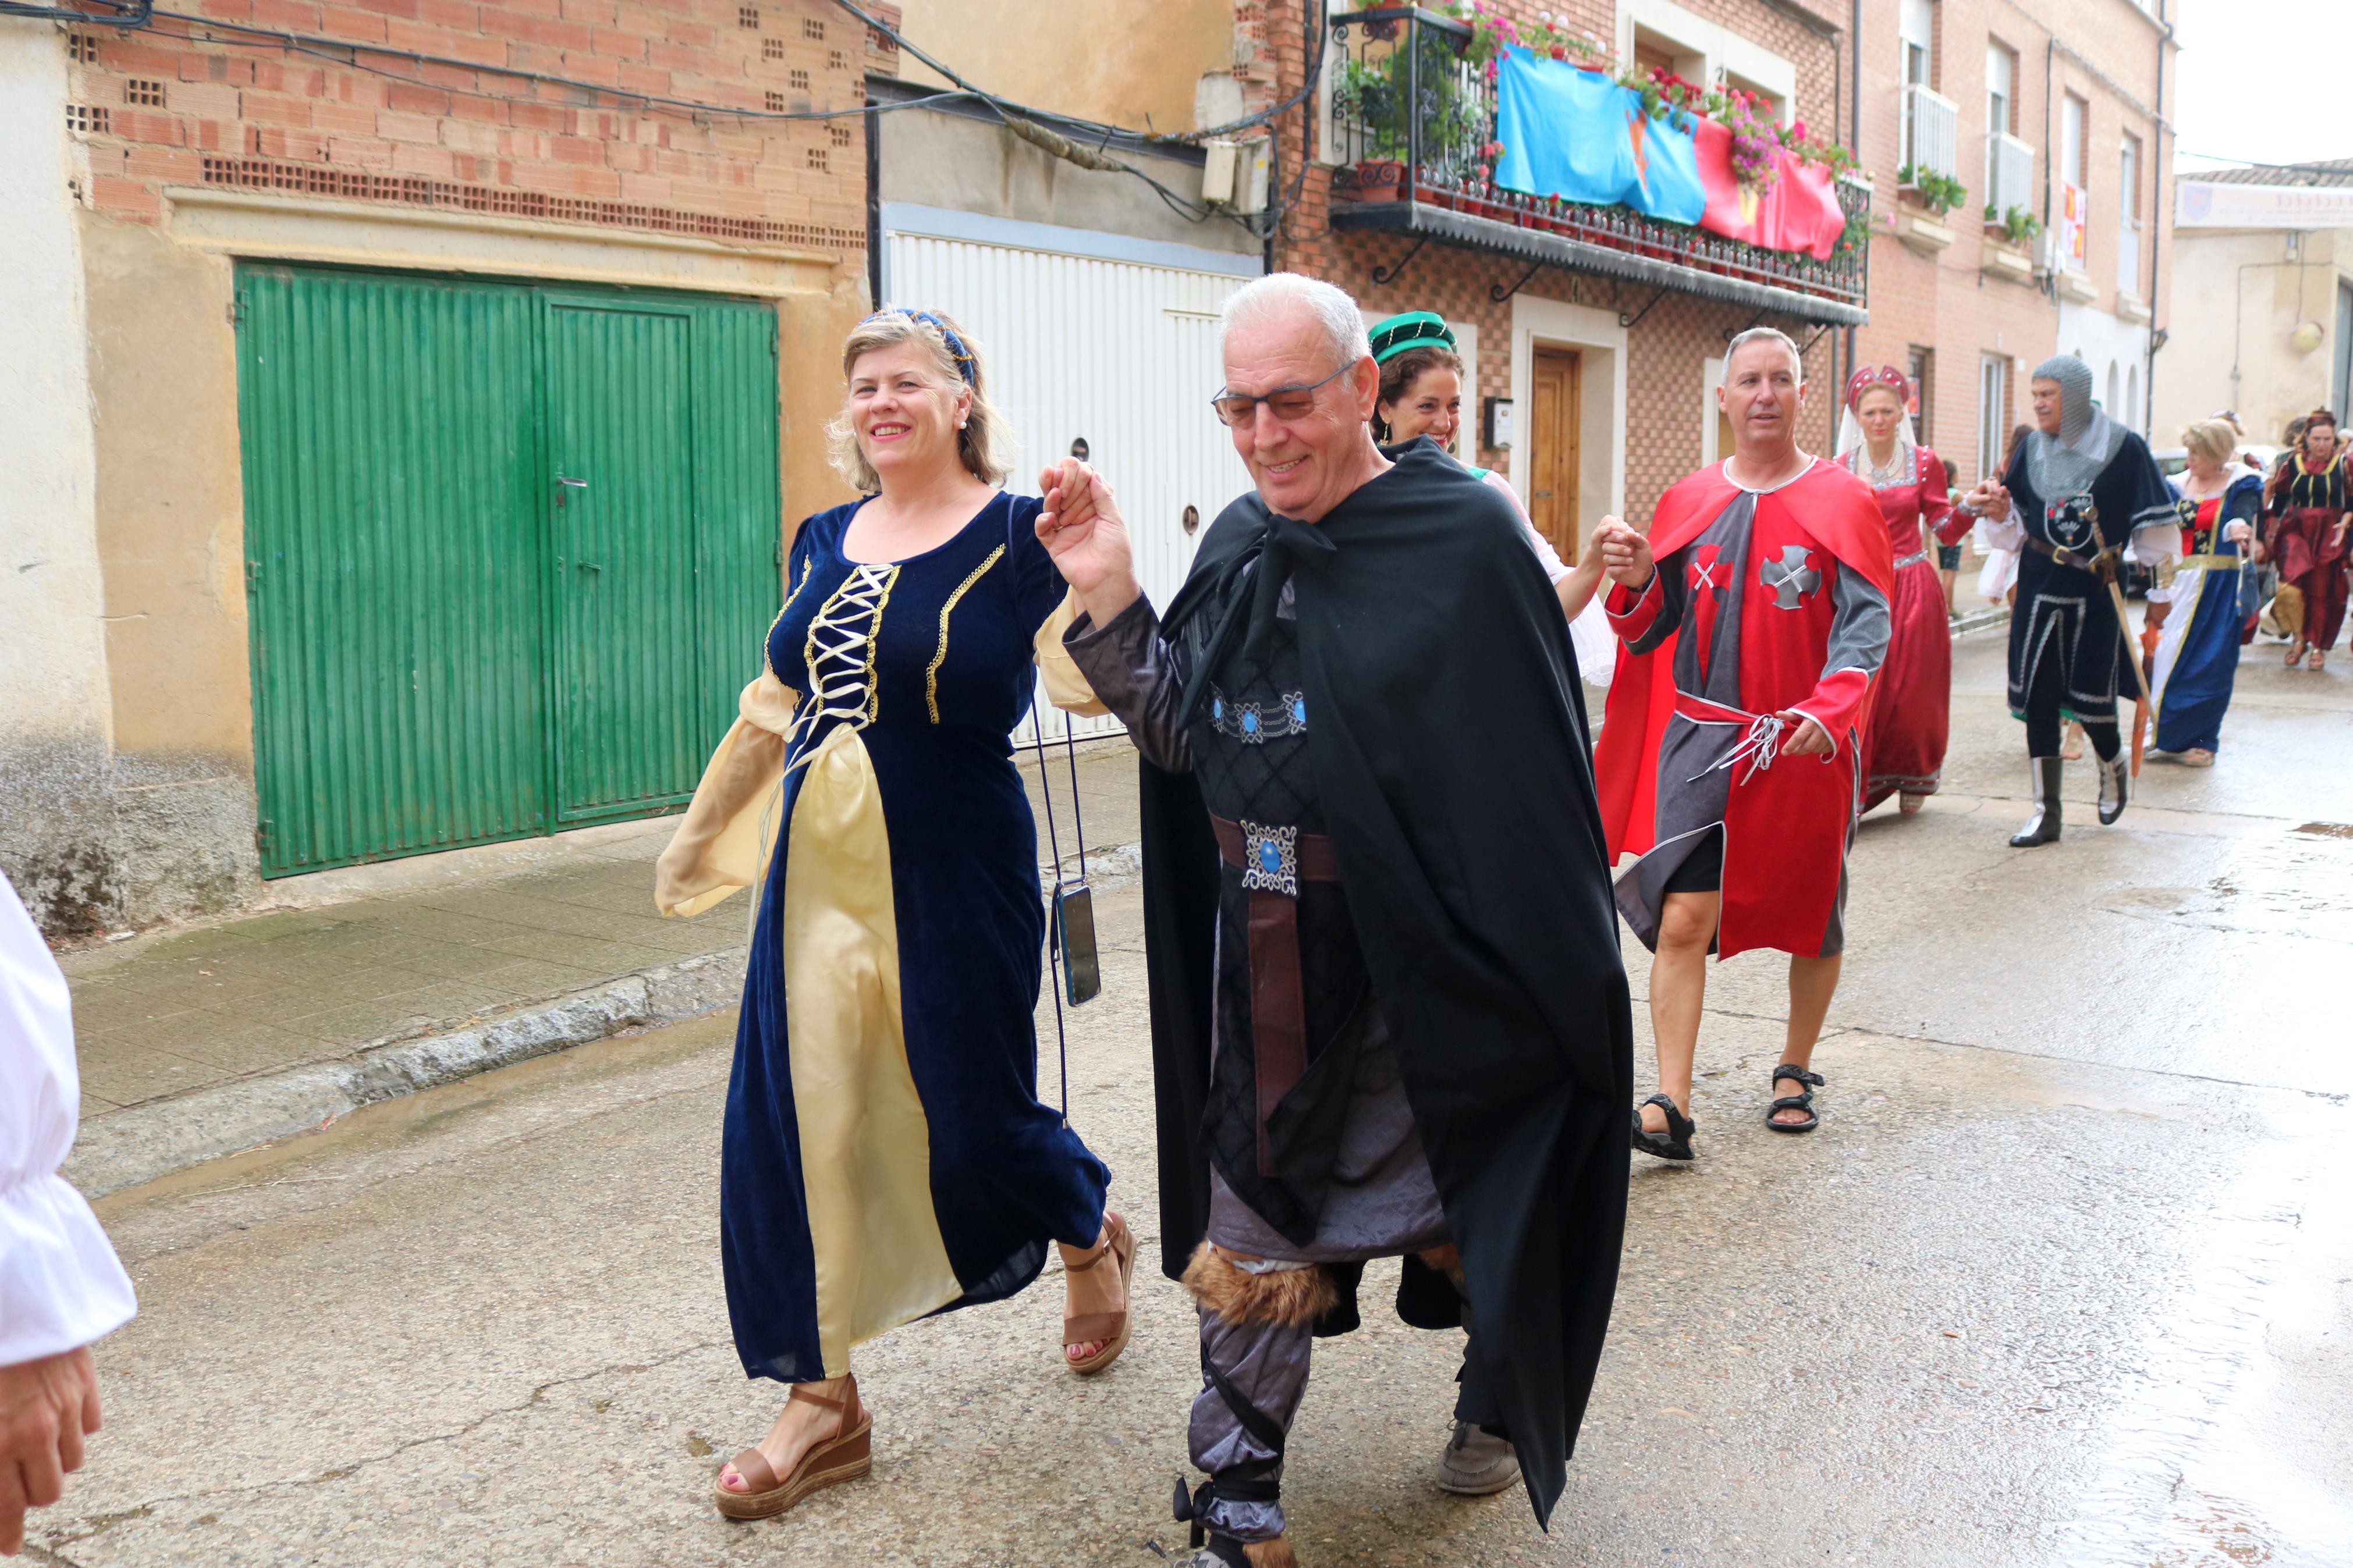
column 1582, row 138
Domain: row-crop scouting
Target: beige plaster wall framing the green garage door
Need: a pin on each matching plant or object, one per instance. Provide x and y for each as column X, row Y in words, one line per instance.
column 175, row 751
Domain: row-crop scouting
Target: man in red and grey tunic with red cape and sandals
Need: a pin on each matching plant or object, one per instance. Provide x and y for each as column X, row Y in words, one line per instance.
column 1757, row 622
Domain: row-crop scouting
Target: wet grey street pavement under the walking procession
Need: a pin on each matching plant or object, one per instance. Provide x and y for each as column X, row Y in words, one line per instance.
column 2067, row 1278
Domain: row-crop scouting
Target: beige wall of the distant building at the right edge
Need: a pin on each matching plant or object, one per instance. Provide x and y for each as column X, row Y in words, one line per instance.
column 2241, row 300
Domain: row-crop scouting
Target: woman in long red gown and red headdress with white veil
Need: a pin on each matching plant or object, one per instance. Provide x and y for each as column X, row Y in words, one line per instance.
column 1917, row 685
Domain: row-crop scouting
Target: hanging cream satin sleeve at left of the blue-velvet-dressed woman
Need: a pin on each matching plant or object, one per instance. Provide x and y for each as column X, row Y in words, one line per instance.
column 728, row 833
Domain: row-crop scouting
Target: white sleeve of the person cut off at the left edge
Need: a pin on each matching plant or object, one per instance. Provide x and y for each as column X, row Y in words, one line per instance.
column 60, row 1280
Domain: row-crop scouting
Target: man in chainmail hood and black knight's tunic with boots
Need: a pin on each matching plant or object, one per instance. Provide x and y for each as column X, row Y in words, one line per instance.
column 2081, row 490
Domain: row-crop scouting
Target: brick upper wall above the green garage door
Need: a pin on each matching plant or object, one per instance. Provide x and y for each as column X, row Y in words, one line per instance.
column 535, row 121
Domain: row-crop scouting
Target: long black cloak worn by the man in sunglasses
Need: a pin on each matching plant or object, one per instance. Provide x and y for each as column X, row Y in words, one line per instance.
column 1455, row 777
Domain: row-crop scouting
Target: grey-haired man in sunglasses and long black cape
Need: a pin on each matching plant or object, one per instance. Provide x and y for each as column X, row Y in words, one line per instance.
column 1389, row 1014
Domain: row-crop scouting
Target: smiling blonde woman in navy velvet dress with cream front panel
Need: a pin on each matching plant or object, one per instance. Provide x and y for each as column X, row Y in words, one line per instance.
column 886, row 1153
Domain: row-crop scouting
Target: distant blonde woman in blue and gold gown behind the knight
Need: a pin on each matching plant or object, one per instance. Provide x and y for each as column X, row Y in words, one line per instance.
column 2206, row 610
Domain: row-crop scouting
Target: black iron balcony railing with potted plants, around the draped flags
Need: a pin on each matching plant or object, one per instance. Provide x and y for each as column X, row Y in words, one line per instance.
column 1411, row 119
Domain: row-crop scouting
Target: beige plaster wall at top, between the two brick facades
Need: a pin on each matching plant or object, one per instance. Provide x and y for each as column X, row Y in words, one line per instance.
column 1119, row 62
